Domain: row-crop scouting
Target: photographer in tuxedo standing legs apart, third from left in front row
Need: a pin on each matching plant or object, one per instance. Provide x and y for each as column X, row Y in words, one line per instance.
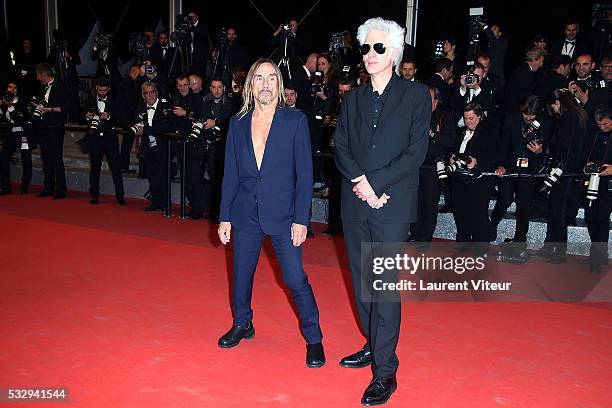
column 102, row 116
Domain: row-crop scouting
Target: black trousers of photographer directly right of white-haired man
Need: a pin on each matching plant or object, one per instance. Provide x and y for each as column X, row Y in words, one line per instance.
column 429, row 196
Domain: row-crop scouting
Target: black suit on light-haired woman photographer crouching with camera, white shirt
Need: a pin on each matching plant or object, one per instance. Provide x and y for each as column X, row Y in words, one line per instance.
column 471, row 194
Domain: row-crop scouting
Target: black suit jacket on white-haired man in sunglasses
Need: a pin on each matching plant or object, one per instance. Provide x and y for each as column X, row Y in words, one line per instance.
column 389, row 156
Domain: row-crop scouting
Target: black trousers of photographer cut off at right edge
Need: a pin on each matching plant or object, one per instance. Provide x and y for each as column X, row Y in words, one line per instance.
column 598, row 222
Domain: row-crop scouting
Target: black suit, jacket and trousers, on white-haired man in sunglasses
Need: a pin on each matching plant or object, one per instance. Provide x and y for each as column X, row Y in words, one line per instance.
column 389, row 156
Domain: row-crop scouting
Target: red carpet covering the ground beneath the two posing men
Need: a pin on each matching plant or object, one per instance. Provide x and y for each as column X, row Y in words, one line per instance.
column 124, row 308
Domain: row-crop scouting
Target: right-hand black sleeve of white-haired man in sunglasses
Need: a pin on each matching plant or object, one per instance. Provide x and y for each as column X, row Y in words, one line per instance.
column 411, row 158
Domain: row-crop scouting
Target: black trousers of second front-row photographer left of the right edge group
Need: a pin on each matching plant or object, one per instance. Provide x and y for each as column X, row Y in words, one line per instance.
column 520, row 190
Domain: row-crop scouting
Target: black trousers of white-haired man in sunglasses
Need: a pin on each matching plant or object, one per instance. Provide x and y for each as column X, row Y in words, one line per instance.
column 379, row 320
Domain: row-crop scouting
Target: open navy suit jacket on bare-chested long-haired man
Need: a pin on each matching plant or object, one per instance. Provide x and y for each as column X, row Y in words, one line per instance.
column 282, row 189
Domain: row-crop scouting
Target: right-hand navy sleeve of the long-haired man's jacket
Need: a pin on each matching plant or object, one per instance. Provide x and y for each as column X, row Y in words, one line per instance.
column 303, row 169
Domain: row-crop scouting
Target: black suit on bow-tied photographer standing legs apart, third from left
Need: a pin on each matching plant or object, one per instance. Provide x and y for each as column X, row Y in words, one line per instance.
column 103, row 142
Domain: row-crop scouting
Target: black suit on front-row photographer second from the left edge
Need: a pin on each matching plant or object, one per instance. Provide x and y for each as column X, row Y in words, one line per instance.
column 52, row 140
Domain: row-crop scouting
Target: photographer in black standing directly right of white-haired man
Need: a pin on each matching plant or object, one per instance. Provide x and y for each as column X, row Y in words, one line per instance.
column 442, row 134
